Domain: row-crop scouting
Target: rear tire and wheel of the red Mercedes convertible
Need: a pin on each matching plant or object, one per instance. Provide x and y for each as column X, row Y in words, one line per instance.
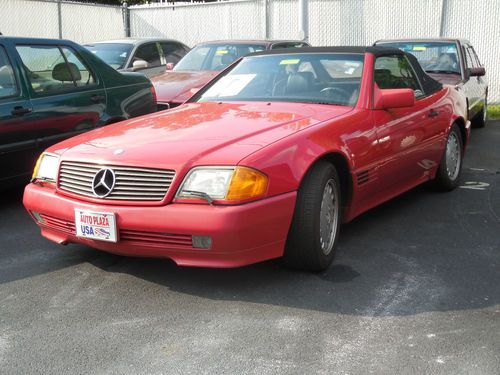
column 450, row 168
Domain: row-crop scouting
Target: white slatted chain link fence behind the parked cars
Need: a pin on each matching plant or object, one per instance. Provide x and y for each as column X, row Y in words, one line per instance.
column 331, row 22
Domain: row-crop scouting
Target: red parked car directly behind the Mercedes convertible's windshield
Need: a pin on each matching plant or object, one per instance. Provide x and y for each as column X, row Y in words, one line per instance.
column 203, row 63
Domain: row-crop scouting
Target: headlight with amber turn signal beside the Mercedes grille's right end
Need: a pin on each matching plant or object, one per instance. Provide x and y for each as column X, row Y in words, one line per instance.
column 227, row 183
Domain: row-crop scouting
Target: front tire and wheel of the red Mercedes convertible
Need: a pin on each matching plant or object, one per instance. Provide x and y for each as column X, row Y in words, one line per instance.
column 308, row 246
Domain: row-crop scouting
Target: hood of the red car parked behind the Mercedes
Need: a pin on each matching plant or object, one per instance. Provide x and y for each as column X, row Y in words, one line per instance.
column 178, row 87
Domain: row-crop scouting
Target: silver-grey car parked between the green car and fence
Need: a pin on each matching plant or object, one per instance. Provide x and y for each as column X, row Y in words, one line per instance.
column 146, row 55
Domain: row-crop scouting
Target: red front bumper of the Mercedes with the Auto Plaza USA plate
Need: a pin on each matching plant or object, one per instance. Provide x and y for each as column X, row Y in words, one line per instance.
column 241, row 235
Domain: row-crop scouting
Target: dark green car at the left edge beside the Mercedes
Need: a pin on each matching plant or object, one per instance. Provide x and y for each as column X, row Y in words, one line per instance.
column 53, row 89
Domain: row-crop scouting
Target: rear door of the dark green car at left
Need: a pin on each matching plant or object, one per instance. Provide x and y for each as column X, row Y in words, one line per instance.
column 66, row 95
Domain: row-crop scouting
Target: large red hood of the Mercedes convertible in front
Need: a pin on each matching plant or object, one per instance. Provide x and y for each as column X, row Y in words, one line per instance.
column 195, row 134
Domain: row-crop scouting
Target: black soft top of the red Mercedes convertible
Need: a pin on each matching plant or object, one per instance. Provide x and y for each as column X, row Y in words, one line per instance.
column 429, row 85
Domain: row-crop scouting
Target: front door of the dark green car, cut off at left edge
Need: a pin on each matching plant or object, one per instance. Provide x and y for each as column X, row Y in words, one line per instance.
column 18, row 147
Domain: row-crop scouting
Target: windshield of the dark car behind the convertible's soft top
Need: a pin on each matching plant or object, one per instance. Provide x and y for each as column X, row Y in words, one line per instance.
column 434, row 57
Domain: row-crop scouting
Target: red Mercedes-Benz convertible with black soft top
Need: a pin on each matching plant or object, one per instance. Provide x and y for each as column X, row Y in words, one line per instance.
column 264, row 162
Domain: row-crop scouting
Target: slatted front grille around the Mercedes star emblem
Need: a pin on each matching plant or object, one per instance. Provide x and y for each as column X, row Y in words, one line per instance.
column 132, row 183
